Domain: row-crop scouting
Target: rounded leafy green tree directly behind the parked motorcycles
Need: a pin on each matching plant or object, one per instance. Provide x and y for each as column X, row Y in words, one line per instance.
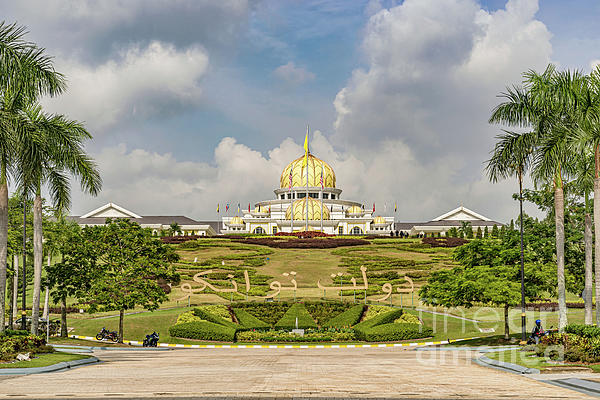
column 131, row 265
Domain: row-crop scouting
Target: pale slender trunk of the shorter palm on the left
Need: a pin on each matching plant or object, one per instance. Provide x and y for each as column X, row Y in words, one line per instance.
column 37, row 261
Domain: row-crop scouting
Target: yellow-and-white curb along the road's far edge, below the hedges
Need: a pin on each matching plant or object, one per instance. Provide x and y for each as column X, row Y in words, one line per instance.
column 283, row 346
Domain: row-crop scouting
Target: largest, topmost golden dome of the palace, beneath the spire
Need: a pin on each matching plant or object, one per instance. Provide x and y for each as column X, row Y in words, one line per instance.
column 314, row 173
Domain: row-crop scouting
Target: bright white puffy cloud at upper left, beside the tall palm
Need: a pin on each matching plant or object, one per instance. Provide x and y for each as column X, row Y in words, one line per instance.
column 142, row 83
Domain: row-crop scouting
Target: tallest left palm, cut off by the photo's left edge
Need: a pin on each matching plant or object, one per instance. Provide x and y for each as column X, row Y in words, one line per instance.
column 25, row 74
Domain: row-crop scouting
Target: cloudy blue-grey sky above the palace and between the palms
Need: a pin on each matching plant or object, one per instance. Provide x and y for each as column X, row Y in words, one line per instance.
column 199, row 102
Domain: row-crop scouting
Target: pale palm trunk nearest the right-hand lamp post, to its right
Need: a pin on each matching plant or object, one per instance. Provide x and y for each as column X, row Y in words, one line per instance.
column 559, row 212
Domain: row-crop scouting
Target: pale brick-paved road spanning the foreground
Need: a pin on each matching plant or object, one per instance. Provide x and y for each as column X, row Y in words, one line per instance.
column 371, row 372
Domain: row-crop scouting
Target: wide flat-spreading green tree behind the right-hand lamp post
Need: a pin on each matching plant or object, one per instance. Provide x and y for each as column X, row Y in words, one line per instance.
column 487, row 285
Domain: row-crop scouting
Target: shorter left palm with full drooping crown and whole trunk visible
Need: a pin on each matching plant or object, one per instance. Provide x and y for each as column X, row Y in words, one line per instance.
column 50, row 148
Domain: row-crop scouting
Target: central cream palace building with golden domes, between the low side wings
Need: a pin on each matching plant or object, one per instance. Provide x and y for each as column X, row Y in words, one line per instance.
column 307, row 199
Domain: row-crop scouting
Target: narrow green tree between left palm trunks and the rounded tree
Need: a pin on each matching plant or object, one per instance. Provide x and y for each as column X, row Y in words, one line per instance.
column 72, row 276
